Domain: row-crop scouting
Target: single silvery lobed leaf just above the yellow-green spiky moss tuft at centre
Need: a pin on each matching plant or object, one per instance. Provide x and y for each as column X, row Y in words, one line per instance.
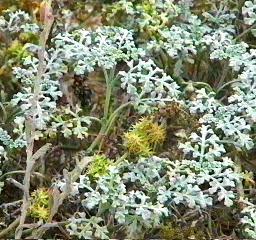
column 148, row 85
